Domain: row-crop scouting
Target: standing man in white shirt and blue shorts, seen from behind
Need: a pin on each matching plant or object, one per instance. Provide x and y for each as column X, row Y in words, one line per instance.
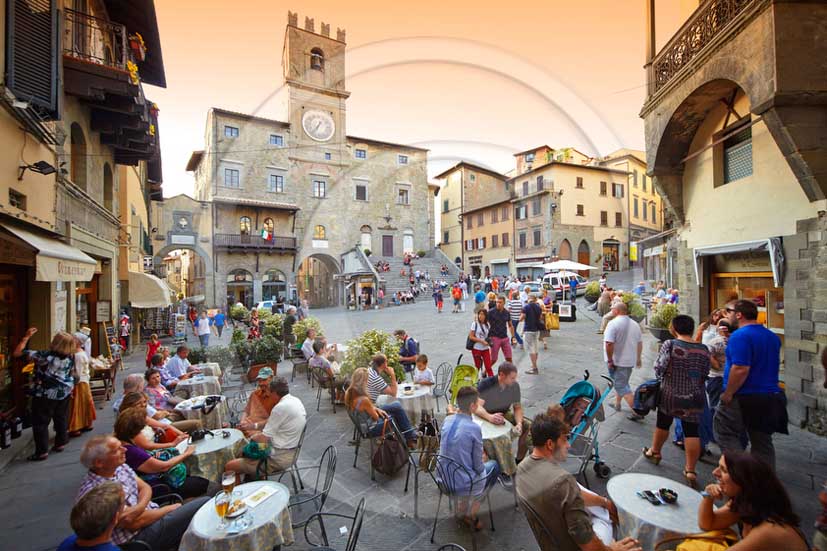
column 622, row 349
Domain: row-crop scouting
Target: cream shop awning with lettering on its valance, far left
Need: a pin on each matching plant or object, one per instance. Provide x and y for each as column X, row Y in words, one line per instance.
column 55, row 260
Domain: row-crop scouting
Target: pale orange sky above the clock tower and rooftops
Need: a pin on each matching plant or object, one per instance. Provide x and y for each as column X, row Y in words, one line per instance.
column 468, row 80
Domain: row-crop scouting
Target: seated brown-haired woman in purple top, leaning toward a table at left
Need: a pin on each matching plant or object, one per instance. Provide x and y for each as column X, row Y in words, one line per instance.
column 171, row 471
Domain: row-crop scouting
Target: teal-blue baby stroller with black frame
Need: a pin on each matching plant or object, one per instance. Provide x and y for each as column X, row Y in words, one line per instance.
column 583, row 405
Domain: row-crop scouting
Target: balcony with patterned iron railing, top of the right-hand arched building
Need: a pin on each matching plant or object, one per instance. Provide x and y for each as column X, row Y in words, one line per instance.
column 708, row 26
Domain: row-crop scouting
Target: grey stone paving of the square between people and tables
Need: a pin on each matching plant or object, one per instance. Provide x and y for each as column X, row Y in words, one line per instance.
column 42, row 493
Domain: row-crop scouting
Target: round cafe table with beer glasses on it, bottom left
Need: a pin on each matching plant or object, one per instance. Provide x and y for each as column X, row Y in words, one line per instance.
column 270, row 524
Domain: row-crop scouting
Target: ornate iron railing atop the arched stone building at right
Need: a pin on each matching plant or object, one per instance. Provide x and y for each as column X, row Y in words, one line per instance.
column 708, row 21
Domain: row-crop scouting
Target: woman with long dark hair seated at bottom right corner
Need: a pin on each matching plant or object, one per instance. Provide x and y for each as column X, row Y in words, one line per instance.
column 757, row 502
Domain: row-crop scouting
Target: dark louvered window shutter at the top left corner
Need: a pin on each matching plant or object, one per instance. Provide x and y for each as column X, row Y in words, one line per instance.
column 33, row 54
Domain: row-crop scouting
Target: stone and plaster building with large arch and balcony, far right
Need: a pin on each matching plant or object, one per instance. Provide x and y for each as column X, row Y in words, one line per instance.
column 735, row 141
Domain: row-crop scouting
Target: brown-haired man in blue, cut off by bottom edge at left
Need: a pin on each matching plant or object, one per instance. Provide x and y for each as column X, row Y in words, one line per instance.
column 93, row 519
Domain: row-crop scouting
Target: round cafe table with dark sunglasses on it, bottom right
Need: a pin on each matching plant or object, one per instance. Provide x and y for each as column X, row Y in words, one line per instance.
column 651, row 523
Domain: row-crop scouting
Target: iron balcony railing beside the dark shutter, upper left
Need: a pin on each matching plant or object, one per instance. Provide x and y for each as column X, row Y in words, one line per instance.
column 94, row 40
